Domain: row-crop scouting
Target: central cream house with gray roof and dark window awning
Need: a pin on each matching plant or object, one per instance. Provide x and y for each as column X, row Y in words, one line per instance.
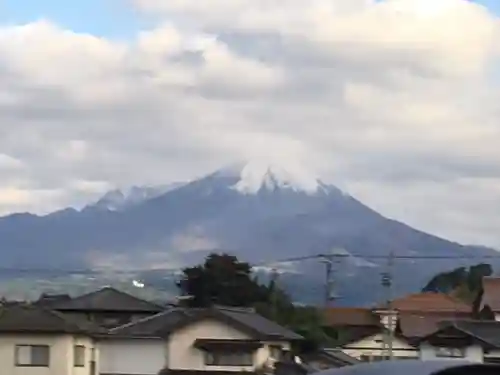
column 182, row 341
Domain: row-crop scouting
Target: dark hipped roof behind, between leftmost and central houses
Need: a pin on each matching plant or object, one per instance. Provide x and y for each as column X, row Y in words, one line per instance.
column 107, row 299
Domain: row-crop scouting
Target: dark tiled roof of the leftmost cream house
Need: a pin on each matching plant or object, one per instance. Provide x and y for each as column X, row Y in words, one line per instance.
column 28, row 318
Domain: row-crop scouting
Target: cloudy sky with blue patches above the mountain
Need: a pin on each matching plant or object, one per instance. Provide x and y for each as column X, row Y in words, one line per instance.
column 394, row 101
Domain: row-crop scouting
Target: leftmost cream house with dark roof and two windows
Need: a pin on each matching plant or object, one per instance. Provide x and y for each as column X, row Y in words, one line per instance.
column 34, row 340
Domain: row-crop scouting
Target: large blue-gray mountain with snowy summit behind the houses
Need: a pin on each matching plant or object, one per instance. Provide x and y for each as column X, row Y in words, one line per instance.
column 257, row 211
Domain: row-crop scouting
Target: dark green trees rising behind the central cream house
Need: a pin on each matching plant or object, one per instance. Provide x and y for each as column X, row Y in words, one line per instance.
column 223, row 280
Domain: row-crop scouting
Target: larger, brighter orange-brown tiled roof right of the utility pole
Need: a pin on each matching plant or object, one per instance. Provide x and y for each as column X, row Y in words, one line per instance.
column 430, row 302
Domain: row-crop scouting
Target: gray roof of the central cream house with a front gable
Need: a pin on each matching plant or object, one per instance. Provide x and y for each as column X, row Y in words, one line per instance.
column 162, row 324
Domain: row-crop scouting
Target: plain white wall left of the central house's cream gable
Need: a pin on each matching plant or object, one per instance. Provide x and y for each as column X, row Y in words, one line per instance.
column 132, row 356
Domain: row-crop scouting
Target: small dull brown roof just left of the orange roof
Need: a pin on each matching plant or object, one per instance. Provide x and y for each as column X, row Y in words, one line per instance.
column 350, row 316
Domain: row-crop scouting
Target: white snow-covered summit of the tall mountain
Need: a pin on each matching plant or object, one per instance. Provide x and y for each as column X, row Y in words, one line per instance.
column 255, row 176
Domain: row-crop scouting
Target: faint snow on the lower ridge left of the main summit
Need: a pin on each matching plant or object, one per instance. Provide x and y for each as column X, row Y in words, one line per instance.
column 119, row 199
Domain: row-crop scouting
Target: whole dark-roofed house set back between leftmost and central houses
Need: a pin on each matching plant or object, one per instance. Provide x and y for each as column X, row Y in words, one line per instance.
column 107, row 307
